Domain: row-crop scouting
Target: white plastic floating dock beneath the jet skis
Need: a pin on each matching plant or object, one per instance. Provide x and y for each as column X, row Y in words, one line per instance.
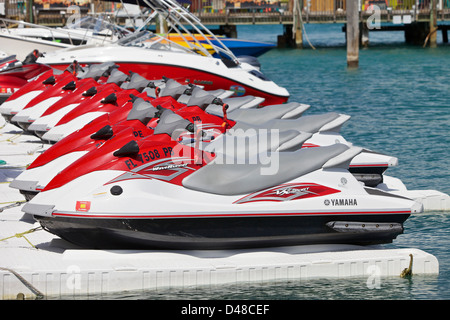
column 55, row 268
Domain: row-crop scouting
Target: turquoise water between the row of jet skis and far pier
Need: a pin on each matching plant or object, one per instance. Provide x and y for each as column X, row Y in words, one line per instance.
column 399, row 98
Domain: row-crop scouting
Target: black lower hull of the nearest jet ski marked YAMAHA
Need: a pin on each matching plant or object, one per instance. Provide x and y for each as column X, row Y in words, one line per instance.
column 227, row 232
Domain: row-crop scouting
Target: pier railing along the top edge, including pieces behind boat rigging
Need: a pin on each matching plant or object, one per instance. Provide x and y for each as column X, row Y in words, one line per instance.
column 266, row 11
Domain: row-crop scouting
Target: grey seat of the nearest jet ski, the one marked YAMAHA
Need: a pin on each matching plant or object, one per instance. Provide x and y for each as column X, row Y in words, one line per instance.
column 237, row 179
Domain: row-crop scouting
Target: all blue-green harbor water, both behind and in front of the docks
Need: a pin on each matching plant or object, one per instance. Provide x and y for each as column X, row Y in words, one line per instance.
column 399, row 101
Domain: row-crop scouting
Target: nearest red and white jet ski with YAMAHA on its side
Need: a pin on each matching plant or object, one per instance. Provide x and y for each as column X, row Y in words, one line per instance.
column 157, row 192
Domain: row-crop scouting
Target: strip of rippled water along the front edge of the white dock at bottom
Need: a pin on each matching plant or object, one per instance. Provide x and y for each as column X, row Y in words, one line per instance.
column 417, row 287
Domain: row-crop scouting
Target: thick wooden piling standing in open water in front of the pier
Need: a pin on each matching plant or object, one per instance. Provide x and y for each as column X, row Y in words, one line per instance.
column 352, row 34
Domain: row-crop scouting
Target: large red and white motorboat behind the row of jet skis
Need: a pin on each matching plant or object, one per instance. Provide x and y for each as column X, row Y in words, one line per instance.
column 155, row 57
